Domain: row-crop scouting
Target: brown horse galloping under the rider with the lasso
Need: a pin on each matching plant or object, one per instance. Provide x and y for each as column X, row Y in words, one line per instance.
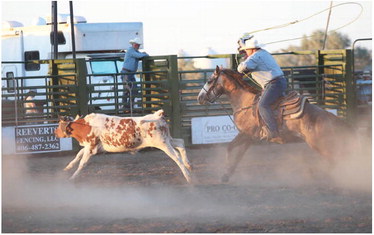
column 321, row 130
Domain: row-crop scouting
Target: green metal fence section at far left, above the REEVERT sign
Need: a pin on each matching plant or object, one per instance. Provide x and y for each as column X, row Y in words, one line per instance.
column 57, row 93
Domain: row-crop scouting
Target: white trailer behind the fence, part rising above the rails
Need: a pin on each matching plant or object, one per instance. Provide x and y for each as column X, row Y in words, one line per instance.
column 35, row 42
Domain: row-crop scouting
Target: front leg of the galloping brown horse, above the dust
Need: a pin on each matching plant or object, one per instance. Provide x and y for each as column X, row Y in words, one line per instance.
column 241, row 142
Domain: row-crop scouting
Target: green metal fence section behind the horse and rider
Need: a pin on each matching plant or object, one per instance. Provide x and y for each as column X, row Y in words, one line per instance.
column 328, row 84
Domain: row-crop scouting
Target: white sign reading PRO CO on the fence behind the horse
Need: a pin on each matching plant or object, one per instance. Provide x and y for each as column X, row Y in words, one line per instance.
column 209, row 130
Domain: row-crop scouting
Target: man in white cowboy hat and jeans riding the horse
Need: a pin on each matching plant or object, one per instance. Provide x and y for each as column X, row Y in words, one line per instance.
column 267, row 73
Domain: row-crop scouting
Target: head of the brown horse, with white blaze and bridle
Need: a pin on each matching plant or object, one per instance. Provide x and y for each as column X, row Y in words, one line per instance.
column 212, row 89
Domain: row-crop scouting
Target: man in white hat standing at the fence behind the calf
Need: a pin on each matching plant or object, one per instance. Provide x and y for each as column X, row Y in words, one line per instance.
column 130, row 66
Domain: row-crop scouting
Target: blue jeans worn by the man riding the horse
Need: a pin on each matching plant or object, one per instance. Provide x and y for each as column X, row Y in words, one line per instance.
column 271, row 93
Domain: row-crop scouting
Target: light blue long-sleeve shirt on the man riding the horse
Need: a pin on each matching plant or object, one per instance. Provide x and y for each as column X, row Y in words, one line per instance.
column 262, row 66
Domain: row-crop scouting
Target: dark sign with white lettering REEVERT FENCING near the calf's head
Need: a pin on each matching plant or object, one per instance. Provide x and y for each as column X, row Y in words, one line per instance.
column 36, row 139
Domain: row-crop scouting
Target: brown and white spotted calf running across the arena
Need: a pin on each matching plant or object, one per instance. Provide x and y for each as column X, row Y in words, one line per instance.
column 100, row 132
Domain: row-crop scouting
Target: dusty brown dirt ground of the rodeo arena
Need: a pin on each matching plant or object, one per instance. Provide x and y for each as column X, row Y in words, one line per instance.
column 276, row 188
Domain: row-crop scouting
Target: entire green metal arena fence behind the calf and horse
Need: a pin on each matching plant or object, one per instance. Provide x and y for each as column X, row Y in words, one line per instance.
column 68, row 89
